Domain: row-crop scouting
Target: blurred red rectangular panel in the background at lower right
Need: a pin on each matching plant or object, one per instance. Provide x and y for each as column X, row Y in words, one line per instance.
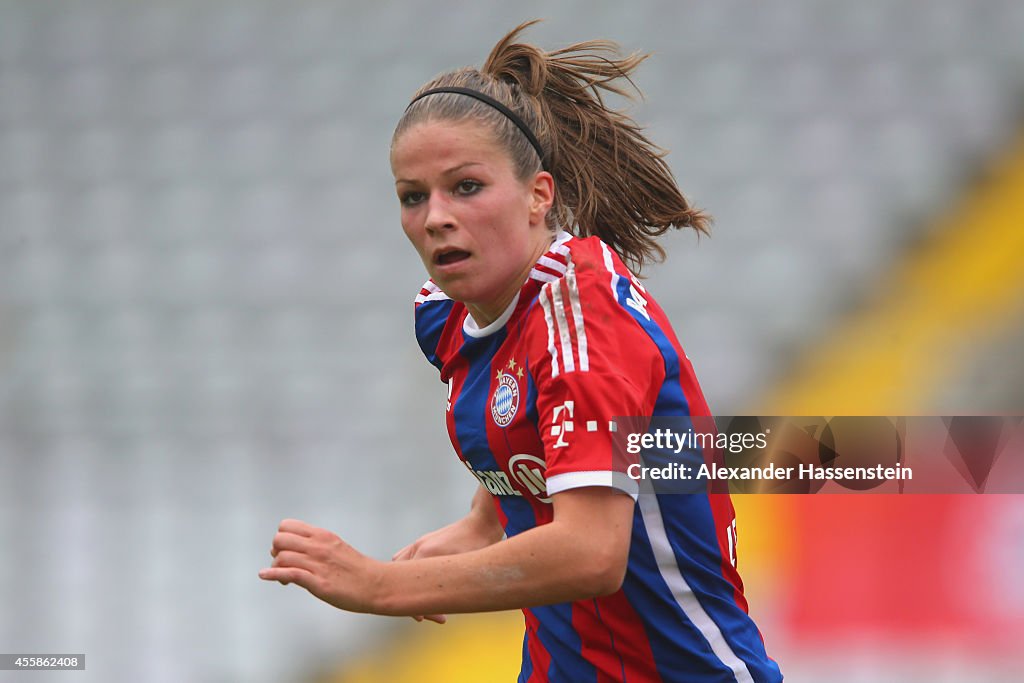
column 912, row 571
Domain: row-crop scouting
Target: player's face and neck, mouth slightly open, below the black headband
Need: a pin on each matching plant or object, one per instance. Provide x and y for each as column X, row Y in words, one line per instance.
column 478, row 228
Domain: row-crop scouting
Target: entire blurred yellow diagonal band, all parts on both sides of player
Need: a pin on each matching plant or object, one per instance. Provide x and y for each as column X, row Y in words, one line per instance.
column 960, row 289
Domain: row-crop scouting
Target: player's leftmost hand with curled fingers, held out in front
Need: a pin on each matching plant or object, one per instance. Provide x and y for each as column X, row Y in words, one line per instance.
column 324, row 565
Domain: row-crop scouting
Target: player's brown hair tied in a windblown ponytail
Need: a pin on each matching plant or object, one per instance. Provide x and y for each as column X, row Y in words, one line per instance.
column 611, row 181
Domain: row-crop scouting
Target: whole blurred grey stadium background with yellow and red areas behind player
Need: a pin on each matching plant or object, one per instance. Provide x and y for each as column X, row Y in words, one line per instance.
column 206, row 318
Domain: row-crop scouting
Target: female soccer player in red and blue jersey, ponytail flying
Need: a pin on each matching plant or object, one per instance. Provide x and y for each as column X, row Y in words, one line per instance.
column 526, row 197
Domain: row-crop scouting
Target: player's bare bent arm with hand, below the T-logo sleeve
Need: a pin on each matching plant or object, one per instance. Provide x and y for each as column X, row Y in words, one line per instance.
column 582, row 553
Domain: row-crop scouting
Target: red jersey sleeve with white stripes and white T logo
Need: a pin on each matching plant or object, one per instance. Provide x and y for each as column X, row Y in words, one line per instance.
column 592, row 362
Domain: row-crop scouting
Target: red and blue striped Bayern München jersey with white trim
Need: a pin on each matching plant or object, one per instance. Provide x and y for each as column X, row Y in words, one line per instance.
column 532, row 402
